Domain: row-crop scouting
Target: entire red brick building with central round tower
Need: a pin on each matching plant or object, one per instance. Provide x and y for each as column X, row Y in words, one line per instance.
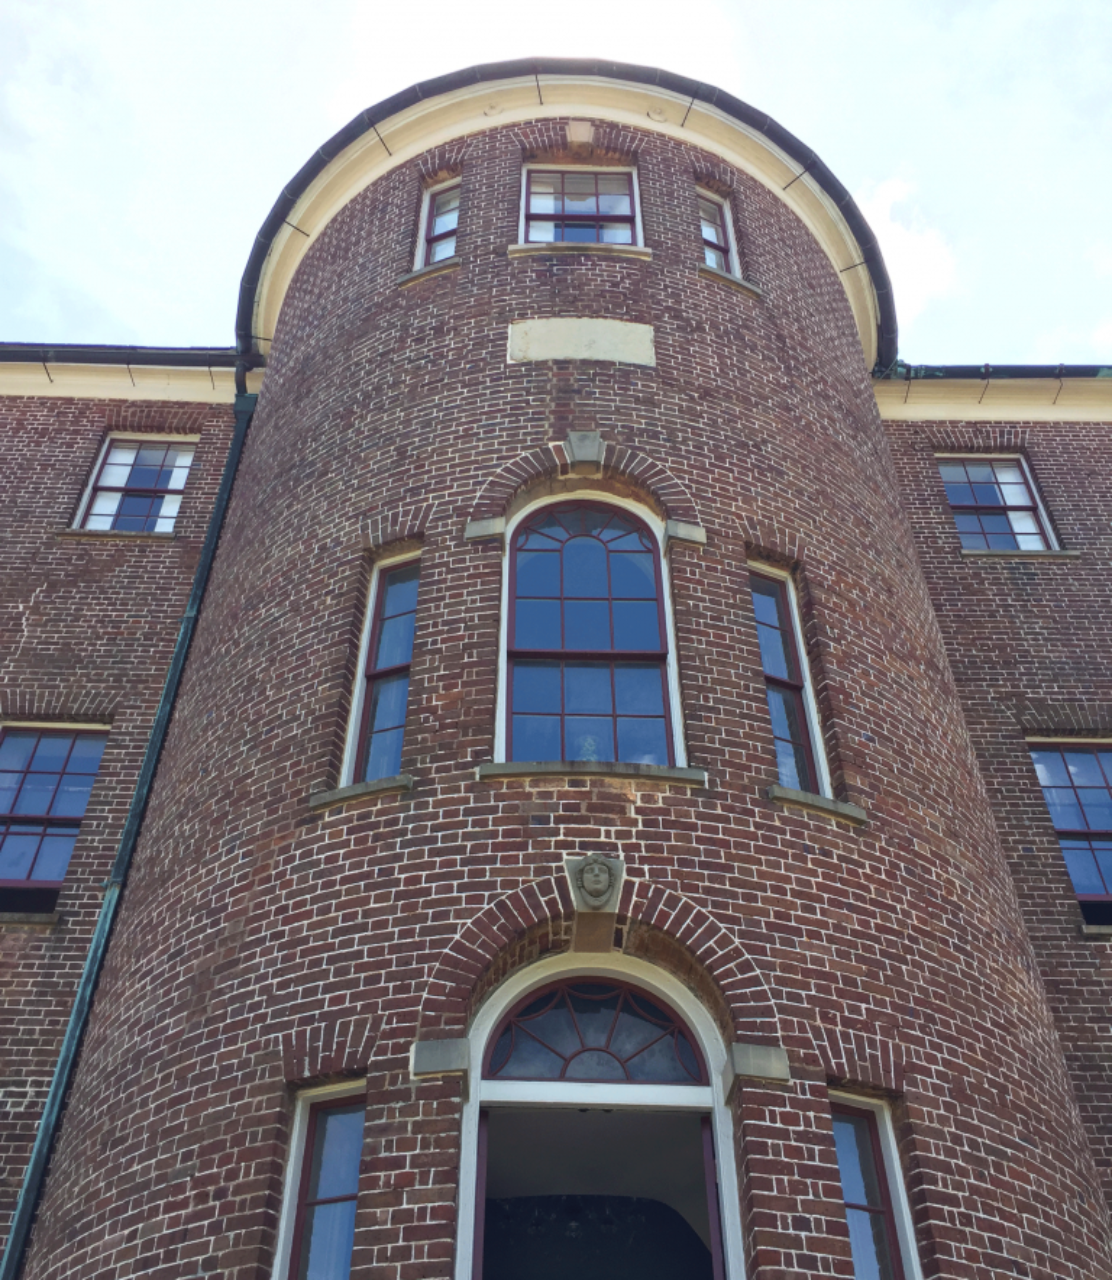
column 559, row 753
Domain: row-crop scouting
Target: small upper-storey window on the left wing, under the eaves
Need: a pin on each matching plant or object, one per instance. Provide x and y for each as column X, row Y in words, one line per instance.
column 138, row 486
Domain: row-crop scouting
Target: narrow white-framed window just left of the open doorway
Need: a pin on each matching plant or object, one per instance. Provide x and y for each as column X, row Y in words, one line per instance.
column 317, row 1231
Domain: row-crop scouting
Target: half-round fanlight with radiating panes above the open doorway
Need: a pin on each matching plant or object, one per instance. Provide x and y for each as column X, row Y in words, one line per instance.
column 594, row 1032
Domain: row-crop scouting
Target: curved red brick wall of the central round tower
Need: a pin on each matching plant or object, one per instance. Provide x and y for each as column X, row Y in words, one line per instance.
column 263, row 945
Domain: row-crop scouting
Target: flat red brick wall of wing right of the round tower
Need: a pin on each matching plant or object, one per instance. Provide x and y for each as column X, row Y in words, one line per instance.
column 1028, row 643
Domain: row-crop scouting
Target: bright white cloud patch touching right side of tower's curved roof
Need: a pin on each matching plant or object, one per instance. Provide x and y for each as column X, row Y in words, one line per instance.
column 922, row 266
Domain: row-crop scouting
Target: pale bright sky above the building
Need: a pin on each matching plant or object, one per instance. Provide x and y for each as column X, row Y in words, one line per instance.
column 143, row 145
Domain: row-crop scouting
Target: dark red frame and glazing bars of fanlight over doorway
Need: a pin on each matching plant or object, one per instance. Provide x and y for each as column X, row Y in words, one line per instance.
column 561, row 993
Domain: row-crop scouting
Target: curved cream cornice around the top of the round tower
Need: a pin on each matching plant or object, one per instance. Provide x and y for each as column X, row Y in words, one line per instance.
column 487, row 102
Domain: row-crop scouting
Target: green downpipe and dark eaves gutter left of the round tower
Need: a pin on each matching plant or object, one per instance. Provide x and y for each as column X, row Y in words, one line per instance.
column 35, row 1178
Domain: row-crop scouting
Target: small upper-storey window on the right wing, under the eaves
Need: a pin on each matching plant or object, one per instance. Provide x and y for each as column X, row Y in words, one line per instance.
column 996, row 505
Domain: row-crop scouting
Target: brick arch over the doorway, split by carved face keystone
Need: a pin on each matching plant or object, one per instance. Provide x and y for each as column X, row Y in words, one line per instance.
column 449, row 996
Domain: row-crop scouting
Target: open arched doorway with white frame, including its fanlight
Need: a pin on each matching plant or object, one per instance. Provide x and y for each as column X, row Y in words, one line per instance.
column 597, row 1137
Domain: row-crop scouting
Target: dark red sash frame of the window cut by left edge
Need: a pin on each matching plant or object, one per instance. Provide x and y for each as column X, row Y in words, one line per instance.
column 30, row 893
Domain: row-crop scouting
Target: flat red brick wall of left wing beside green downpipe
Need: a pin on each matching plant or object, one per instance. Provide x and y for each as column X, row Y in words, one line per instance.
column 88, row 625
